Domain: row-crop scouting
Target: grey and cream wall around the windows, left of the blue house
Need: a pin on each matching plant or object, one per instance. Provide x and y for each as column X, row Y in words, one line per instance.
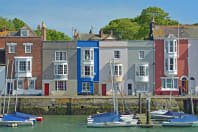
column 48, row 54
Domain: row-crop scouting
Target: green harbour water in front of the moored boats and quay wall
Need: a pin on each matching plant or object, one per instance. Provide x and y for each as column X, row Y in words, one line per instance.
column 78, row 124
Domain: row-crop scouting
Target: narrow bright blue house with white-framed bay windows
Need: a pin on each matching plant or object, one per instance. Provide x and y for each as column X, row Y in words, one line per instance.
column 88, row 67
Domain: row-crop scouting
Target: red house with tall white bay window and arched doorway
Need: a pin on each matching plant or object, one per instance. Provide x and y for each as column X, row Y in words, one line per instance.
column 171, row 59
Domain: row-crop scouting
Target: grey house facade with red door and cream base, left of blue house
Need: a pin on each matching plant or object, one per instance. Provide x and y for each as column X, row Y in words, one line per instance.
column 59, row 64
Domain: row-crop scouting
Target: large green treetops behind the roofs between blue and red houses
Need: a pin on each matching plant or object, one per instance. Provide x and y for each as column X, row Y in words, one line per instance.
column 138, row 28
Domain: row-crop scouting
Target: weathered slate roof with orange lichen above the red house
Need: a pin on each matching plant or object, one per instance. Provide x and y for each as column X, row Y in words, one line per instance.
column 184, row 31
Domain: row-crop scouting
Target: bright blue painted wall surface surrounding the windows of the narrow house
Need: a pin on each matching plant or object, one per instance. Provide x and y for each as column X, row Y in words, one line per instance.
column 84, row 44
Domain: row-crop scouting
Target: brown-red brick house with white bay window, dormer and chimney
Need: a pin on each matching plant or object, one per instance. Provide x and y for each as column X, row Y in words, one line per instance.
column 24, row 60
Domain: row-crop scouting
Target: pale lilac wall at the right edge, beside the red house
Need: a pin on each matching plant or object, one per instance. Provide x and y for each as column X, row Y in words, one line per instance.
column 192, row 62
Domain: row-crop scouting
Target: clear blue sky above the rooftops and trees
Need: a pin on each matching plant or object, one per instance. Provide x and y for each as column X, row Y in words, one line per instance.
column 82, row 14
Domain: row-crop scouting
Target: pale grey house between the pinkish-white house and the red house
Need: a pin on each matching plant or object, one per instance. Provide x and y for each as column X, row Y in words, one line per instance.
column 140, row 75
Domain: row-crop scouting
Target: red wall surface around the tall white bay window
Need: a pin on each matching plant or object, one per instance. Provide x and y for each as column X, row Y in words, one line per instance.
column 182, row 65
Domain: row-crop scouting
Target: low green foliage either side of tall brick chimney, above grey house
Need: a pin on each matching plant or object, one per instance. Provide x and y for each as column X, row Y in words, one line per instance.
column 53, row 35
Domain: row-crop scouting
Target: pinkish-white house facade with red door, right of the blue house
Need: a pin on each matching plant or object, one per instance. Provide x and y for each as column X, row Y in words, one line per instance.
column 113, row 52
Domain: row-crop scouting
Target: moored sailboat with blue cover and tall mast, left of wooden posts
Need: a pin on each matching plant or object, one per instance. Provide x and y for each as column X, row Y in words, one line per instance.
column 112, row 119
